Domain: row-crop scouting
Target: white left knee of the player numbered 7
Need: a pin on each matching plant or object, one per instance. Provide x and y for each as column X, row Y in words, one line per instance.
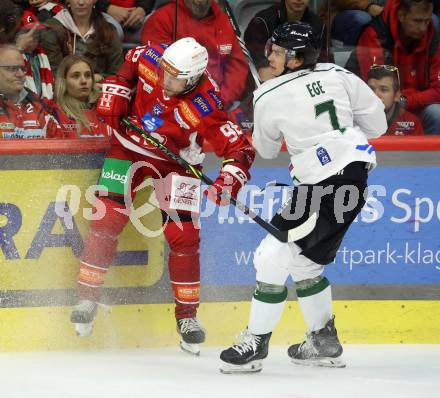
column 272, row 260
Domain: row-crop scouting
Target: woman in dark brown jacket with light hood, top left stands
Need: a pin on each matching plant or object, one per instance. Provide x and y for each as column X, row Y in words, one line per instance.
column 81, row 29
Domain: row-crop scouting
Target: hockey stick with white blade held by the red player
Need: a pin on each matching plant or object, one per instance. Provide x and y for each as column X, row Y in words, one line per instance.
column 282, row 236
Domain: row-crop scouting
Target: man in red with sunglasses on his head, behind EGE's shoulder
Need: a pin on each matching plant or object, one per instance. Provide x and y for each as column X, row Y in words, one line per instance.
column 384, row 81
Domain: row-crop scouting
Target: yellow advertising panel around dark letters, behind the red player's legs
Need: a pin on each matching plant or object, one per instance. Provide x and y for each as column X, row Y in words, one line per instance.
column 57, row 267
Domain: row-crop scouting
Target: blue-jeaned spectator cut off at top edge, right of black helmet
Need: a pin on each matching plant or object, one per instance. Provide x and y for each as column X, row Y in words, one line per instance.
column 348, row 17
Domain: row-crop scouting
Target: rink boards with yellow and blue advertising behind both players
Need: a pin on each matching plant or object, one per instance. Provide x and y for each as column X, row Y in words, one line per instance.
column 385, row 279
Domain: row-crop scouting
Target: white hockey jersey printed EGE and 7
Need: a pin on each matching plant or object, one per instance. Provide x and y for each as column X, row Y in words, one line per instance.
column 325, row 116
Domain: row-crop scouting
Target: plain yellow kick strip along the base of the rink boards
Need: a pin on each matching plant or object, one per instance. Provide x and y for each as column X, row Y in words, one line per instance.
column 153, row 325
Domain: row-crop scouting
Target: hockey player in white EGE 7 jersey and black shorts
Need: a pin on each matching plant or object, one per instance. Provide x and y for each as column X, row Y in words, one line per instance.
column 325, row 115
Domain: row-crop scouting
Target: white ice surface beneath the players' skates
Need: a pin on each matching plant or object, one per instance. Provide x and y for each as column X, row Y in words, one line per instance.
column 373, row 371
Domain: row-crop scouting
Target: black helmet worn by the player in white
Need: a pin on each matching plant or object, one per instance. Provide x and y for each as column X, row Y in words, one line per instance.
column 298, row 39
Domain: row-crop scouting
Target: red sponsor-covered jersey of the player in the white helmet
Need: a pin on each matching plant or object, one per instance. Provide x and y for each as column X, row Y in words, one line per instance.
column 182, row 122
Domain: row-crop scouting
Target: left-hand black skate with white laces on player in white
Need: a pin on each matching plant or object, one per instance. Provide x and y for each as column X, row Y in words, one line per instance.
column 246, row 356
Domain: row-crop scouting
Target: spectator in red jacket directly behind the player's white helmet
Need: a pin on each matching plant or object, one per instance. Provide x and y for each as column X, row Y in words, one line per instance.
column 210, row 26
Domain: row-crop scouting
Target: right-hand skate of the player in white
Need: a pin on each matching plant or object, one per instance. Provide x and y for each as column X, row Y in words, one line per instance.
column 321, row 348
